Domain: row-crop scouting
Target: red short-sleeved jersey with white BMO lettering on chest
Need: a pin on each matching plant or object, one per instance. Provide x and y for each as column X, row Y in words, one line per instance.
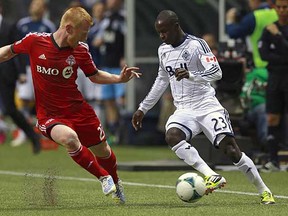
column 54, row 72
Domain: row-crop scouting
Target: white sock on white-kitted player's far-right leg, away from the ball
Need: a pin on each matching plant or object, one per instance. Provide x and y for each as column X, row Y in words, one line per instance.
column 249, row 169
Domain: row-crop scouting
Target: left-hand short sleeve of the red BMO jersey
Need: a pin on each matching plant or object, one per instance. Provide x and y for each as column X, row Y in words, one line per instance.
column 24, row 45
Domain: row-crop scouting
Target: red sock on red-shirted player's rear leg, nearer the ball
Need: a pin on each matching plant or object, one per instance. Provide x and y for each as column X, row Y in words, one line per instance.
column 110, row 165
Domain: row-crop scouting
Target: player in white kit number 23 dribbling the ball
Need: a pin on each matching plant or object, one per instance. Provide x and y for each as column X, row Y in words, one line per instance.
column 188, row 65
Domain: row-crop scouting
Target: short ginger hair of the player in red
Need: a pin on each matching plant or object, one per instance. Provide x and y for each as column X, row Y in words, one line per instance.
column 75, row 16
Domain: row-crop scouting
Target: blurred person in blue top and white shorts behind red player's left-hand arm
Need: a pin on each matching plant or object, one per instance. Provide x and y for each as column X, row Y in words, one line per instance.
column 35, row 22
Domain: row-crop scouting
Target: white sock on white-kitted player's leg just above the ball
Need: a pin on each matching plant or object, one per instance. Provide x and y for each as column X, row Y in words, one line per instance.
column 190, row 156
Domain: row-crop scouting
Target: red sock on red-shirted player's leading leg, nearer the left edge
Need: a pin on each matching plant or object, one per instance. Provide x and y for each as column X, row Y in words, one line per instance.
column 85, row 158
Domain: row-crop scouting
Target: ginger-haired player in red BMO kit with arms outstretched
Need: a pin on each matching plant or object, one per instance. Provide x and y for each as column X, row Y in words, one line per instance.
column 63, row 115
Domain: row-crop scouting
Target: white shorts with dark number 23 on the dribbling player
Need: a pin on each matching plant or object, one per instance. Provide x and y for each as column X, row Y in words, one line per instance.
column 215, row 125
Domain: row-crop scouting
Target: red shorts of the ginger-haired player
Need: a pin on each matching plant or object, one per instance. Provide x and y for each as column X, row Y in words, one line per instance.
column 88, row 129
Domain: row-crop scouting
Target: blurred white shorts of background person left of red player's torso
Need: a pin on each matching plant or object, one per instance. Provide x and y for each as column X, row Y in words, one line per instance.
column 26, row 90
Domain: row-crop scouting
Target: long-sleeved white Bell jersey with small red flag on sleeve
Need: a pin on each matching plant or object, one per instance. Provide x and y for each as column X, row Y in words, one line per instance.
column 195, row 93
